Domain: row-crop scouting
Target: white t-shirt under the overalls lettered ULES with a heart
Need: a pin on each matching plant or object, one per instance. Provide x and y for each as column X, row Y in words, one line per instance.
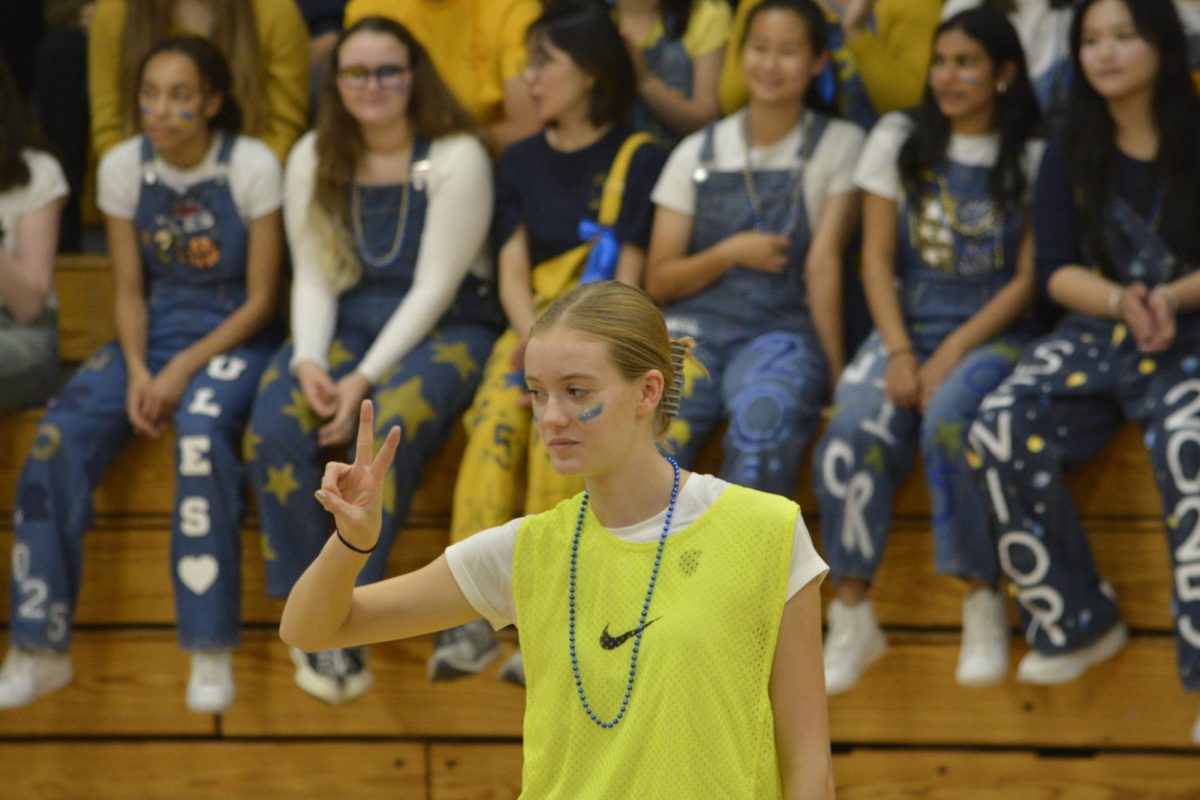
column 254, row 173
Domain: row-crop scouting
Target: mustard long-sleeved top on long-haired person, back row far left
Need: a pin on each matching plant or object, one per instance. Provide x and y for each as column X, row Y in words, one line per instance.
column 283, row 37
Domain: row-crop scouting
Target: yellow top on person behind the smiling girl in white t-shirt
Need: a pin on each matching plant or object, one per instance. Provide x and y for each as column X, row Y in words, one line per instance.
column 893, row 61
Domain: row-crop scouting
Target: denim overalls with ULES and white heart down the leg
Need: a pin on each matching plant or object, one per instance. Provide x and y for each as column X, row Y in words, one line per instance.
column 194, row 249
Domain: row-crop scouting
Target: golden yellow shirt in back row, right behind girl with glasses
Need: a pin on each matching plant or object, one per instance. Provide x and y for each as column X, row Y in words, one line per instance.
column 476, row 45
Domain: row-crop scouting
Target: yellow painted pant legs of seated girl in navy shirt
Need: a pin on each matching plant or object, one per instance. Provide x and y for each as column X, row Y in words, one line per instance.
column 501, row 442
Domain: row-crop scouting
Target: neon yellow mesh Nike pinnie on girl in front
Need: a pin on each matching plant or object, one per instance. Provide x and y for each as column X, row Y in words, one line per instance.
column 699, row 721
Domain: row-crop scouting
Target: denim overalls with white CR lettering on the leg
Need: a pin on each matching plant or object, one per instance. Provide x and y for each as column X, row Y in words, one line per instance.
column 869, row 447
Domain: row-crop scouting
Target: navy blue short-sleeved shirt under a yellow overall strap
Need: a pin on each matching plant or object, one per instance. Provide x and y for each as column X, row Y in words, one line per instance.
column 550, row 193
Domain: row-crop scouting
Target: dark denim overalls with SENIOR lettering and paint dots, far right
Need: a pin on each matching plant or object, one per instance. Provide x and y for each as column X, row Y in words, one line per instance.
column 1069, row 396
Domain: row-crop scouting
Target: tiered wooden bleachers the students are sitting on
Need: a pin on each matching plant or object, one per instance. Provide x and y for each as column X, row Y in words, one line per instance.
column 907, row 732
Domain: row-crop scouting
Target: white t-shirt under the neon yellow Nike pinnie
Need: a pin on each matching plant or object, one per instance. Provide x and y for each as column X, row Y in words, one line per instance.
column 483, row 564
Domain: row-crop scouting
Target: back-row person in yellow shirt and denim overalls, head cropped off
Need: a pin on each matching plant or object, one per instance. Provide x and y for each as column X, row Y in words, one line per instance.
column 677, row 47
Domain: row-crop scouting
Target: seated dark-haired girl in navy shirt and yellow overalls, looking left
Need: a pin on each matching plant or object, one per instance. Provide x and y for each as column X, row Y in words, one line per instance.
column 573, row 204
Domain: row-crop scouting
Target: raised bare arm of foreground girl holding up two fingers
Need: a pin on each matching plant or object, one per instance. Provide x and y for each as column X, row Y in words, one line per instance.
column 326, row 610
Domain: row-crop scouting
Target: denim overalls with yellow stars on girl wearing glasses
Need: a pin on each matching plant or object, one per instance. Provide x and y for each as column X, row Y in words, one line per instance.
column 425, row 392
